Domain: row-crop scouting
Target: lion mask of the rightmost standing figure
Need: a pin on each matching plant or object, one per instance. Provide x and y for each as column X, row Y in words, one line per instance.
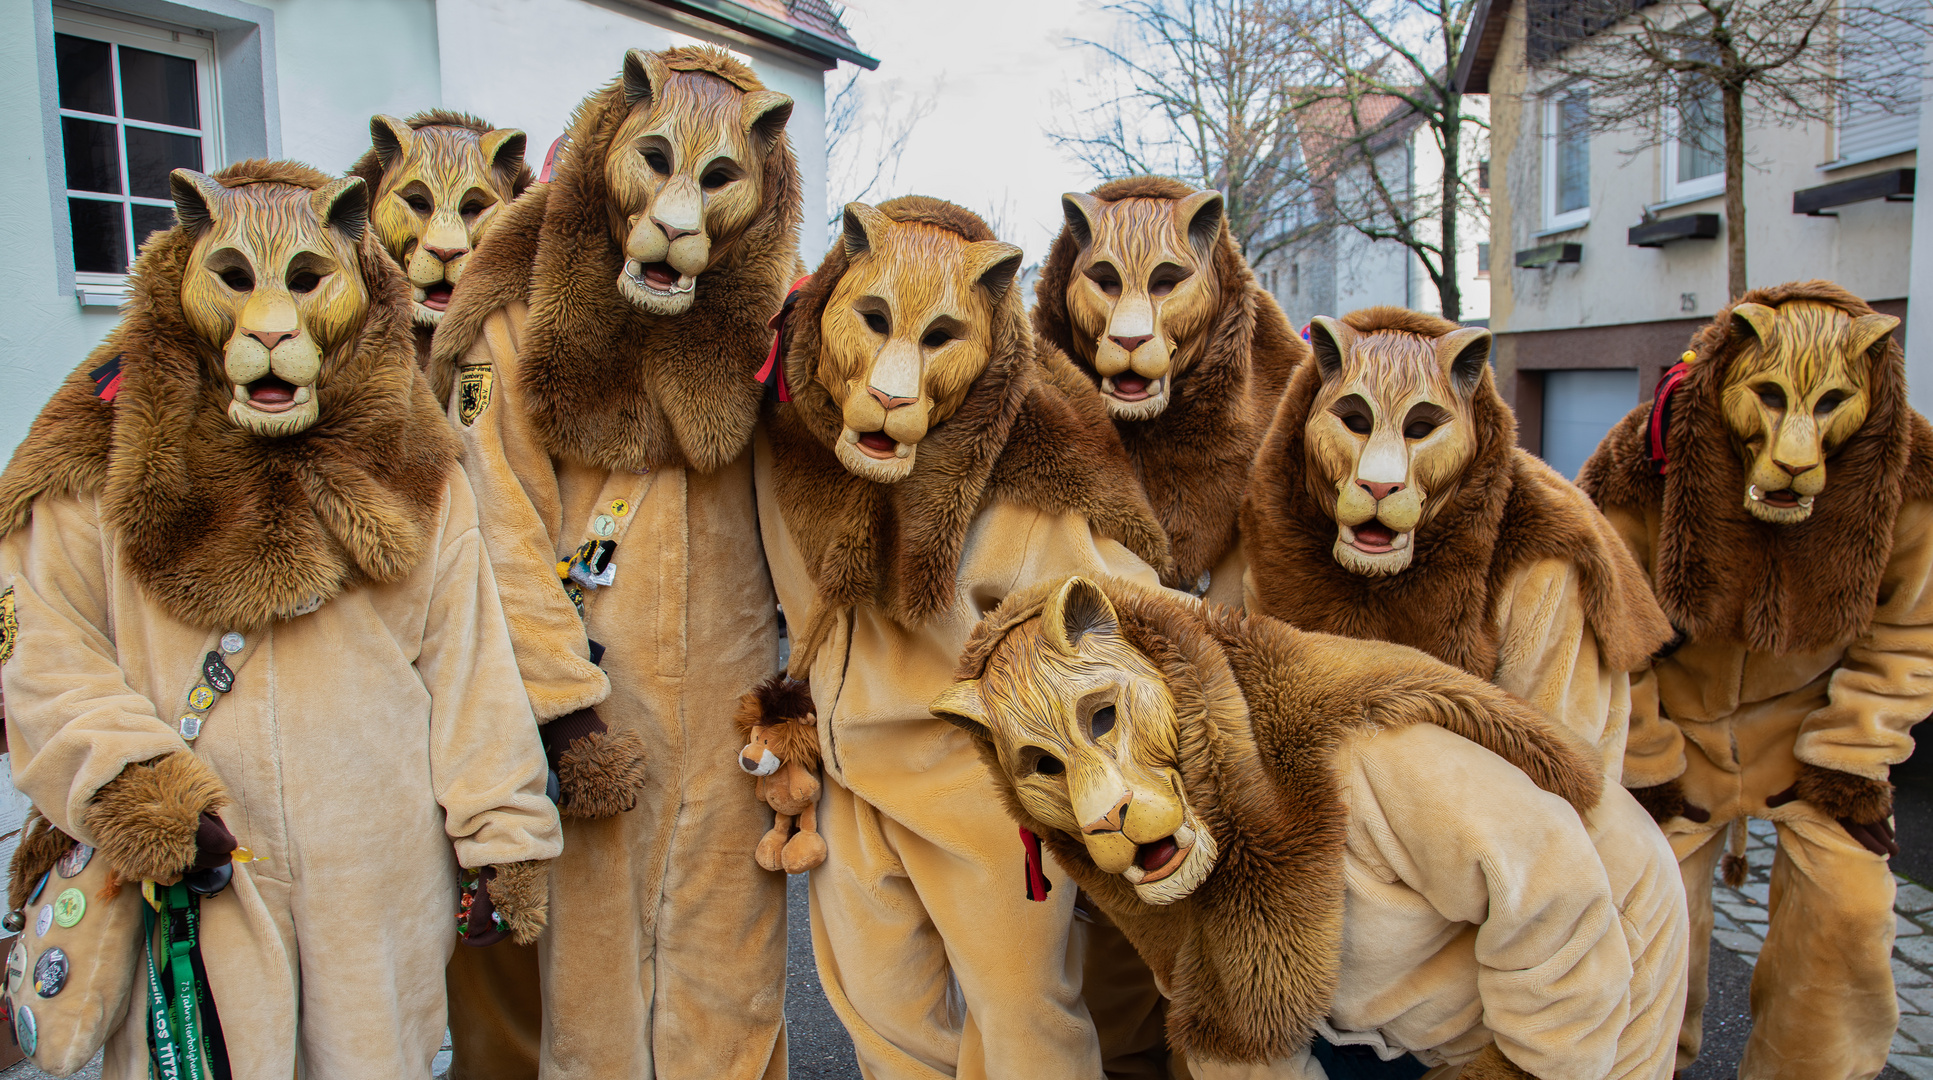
column 1795, row 393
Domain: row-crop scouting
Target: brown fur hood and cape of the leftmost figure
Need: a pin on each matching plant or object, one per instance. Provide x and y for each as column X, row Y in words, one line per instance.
column 221, row 526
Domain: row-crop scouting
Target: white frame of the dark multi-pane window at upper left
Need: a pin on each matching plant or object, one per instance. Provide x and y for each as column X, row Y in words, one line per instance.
column 105, row 289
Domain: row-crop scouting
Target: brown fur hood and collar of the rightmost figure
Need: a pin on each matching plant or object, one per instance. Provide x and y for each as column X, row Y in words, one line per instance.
column 1721, row 573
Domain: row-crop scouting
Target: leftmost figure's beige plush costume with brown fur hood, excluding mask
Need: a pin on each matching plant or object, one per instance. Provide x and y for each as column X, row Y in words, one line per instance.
column 361, row 739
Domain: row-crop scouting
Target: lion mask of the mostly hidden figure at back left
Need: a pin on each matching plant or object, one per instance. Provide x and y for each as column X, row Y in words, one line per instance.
column 440, row 183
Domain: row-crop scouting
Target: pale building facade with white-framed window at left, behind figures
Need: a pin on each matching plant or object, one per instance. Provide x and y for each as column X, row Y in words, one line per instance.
column 109, row 96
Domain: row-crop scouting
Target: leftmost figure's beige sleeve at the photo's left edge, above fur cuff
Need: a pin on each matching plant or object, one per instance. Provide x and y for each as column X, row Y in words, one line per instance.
column 74, row 722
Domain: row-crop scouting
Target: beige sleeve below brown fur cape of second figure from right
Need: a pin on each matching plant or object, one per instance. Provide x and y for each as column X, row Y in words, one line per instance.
column 1549, row 658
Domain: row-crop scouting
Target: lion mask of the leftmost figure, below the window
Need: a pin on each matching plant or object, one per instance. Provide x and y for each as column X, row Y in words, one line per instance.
column 274, row 287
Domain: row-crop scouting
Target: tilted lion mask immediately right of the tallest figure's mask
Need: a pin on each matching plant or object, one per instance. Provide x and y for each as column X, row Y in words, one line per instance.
column 906, row 333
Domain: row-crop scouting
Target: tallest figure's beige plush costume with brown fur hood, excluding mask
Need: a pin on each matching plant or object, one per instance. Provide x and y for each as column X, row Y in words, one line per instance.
column 583, row 418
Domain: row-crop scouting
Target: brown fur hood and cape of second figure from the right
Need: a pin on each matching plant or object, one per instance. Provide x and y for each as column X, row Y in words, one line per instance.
column 1507, row 513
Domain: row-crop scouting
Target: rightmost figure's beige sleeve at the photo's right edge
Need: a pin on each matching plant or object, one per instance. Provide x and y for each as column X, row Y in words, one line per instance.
column 1886, row 683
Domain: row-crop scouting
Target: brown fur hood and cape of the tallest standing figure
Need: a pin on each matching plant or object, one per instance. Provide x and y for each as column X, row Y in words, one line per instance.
column 608, row 384
